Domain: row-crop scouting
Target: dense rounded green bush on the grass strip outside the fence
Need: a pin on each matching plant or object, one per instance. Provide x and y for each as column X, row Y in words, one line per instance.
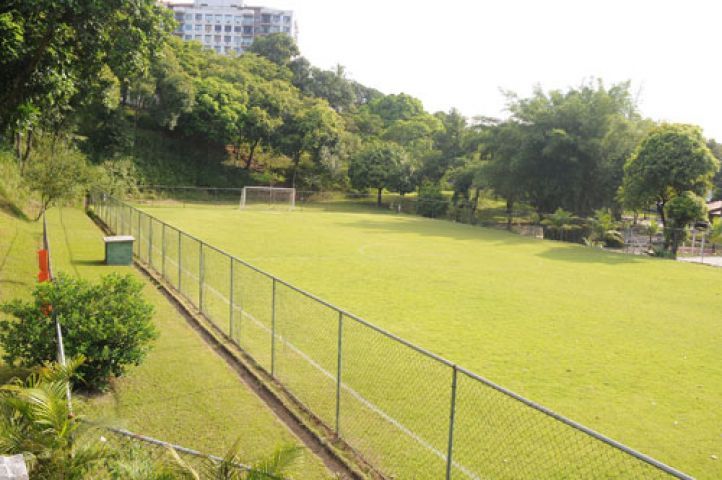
column 108, row 323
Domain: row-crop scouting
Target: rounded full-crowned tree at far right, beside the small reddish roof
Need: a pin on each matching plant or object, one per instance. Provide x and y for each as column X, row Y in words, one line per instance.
column 671, row 160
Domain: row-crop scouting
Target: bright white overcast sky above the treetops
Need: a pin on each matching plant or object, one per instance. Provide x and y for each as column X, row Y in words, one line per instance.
column 459, row 53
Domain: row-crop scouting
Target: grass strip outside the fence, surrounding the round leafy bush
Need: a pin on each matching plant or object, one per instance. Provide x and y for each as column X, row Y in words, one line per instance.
column 183, row 392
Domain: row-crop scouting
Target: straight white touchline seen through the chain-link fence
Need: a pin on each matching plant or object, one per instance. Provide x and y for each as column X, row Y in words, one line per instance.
column 367, row 403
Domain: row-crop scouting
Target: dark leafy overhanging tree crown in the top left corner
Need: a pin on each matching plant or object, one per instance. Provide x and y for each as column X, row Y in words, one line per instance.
column 55, row 49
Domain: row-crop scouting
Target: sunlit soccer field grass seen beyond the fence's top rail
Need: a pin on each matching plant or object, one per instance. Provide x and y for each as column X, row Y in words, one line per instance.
column 626, row 345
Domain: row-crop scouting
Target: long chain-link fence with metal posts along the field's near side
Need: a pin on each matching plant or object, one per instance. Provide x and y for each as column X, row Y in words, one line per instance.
column 409, row 412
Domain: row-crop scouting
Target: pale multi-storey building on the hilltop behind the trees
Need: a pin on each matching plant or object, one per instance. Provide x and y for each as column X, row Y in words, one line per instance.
column 228, row 26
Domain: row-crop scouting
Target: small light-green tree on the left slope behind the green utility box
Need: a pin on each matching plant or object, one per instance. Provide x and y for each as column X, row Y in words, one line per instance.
column 58, row 172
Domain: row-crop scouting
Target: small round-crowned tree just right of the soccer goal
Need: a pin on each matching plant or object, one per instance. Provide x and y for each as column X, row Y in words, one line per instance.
column 375, row 166
